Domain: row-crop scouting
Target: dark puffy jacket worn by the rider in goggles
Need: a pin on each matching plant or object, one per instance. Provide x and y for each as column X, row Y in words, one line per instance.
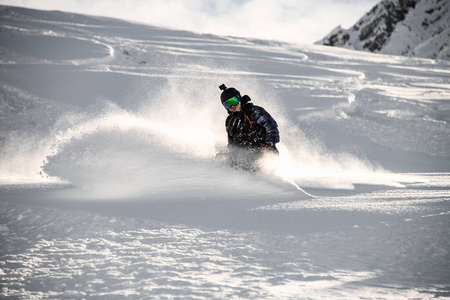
column 252, row 127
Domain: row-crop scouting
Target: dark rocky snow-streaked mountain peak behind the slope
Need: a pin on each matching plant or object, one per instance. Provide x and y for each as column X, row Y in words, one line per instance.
column 399, row 27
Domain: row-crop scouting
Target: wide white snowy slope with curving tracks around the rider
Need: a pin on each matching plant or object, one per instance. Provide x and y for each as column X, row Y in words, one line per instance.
column 110, row 186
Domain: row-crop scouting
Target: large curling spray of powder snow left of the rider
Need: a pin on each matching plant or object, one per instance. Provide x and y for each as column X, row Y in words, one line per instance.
column 166, row 148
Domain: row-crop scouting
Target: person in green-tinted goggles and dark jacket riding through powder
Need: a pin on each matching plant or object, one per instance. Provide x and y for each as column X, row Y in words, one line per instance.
column 251, row 129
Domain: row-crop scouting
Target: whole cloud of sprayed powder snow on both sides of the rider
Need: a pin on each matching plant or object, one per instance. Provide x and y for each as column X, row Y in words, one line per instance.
column 168, row 148
